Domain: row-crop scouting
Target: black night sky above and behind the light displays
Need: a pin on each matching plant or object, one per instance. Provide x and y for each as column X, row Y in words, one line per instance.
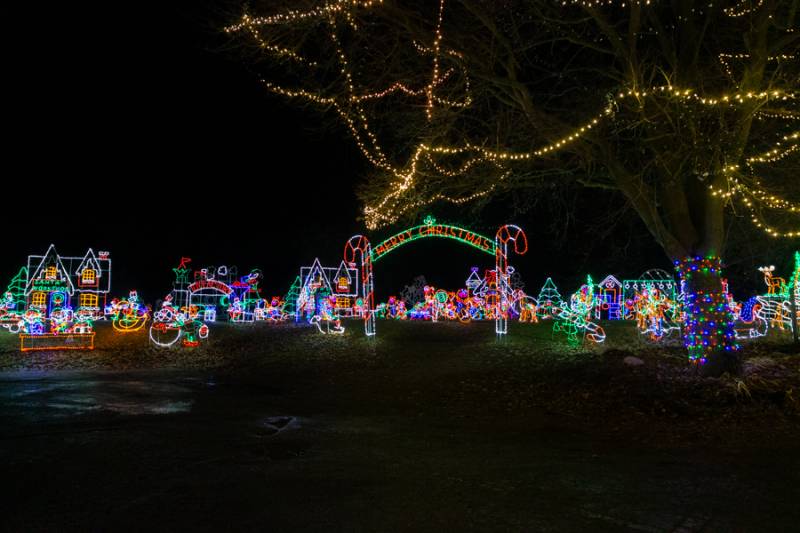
column 131, row 131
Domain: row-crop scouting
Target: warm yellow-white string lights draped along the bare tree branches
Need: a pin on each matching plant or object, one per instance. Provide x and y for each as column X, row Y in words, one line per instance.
column 448, row 75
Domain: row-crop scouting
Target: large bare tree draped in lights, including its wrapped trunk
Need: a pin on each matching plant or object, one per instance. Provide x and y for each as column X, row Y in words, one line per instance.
column 685, row 109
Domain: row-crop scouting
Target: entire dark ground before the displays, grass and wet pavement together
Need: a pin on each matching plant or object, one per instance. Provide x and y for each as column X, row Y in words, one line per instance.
column 426, row 427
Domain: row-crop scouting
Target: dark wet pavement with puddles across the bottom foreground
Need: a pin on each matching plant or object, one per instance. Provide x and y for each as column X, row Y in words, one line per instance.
column 172, row 450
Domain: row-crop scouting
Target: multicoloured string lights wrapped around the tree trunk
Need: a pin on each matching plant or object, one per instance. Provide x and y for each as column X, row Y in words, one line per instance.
column 708, row 321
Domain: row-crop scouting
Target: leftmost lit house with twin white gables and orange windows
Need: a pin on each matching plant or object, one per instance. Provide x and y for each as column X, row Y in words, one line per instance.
column 59, row 282
